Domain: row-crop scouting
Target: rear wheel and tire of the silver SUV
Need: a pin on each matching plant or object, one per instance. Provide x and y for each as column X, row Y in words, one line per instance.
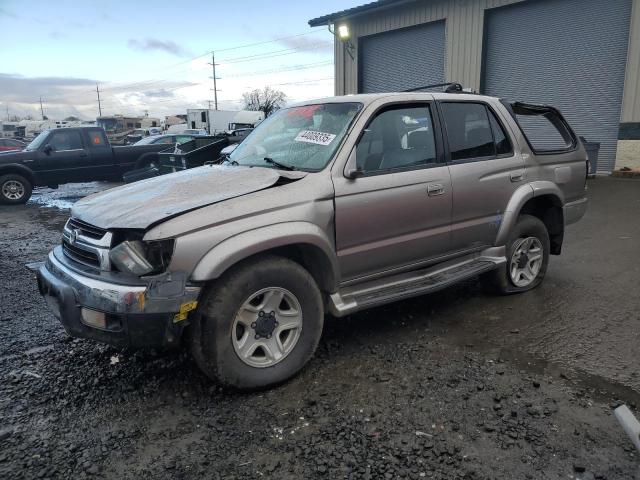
column 521, row 272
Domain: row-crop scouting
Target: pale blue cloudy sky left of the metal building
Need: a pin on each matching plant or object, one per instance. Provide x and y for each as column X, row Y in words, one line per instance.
column 154, row 56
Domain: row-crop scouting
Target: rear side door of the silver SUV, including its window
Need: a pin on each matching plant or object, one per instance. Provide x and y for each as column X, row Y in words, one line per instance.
column 485, row 171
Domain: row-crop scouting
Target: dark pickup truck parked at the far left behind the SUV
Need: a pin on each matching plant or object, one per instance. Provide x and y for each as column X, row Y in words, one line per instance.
column 68, row 155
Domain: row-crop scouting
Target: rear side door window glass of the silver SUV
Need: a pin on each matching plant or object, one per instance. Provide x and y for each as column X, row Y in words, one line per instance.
column 468, row 130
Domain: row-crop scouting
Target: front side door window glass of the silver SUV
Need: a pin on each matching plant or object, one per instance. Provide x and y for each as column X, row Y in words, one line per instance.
column 396, row 138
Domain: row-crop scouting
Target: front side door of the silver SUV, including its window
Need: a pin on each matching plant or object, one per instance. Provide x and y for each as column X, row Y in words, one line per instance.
column 395, row 215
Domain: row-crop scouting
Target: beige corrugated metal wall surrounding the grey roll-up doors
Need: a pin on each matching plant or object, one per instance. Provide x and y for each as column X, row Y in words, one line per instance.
column 464, row 43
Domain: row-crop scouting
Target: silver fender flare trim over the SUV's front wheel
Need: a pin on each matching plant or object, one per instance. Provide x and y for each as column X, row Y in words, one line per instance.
column 239, row 247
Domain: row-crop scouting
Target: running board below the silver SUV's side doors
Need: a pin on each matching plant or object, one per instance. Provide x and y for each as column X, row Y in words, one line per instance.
column 406, row 285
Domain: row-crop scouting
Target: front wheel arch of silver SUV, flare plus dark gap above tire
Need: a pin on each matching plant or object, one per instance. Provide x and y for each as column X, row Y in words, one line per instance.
column 302, row 242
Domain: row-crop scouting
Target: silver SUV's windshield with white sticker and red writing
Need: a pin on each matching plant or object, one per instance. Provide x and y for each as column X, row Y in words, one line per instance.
column 300, row 138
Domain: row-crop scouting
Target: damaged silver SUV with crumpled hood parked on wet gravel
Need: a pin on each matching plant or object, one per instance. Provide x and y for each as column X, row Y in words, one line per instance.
column 330, row 206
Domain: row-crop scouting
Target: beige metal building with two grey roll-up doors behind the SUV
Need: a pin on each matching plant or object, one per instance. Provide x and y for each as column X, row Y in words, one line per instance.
column 582, row 56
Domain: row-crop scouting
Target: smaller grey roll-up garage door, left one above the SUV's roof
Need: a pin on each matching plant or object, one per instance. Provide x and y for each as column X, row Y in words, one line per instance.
column 402, row 59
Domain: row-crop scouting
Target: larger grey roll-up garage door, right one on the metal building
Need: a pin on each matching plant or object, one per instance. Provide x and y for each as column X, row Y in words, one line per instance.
column 567, row 53
